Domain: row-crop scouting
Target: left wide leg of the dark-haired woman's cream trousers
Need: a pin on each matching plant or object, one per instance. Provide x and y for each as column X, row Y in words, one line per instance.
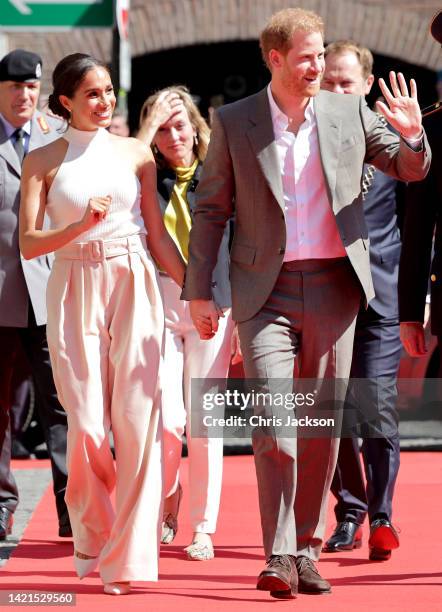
column 79, row 344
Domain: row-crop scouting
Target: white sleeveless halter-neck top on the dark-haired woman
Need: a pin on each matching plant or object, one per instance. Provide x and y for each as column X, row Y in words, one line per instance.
column 94, row 167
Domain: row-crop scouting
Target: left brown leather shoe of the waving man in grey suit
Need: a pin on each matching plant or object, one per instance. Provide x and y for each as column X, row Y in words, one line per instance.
column 280, row 577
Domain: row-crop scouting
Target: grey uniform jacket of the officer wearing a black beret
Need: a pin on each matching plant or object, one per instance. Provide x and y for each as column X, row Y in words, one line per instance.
column 20, row 280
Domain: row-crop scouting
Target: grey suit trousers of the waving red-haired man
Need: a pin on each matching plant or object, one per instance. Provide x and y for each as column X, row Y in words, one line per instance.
column 310, row 314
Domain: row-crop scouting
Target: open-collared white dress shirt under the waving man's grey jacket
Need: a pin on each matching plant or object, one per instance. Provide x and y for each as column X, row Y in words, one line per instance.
column 312, row 232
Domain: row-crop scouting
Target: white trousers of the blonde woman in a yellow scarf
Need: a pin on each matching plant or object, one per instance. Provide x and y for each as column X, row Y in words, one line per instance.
column 186, row 356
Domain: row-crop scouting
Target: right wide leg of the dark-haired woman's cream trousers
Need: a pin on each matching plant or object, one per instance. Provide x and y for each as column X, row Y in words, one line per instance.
column 136, row 329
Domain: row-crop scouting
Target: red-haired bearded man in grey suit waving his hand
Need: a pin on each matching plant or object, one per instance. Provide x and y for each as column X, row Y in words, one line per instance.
column 287, row 163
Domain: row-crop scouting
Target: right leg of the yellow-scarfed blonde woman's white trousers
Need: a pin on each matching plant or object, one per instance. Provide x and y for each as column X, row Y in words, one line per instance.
column 205, row 359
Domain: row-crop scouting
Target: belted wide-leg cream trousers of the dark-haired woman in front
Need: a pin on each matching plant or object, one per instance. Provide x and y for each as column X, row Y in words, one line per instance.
column 105, row 331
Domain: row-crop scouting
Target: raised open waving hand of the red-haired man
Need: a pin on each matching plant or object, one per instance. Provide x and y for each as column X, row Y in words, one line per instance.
column 401, row 109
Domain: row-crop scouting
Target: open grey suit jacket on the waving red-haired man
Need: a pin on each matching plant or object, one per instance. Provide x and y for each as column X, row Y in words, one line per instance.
column 241, row 176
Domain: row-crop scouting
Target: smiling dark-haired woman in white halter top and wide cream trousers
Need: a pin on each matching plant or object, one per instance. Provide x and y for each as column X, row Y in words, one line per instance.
column 105, row 320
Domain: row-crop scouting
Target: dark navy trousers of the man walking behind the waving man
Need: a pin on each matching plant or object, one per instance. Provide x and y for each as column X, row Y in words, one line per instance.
column 376, row 353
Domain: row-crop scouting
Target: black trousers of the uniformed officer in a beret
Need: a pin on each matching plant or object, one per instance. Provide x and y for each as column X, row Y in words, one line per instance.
column 52, row 416
